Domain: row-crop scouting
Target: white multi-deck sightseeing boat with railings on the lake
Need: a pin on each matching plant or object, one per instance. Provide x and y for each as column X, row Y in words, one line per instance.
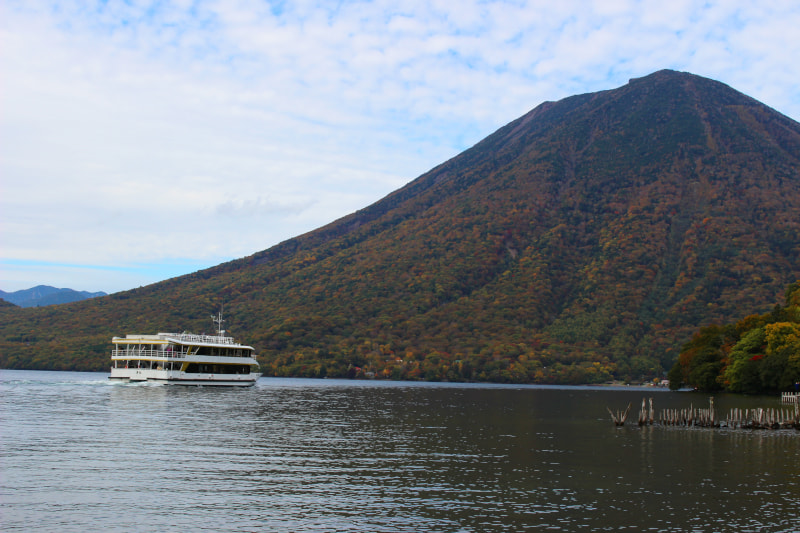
column 184, row 359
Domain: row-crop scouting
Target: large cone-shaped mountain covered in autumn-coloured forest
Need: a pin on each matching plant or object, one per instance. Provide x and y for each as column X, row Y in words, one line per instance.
column 586, row 240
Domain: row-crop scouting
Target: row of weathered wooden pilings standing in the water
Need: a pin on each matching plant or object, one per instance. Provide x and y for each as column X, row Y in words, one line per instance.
column 759, row 418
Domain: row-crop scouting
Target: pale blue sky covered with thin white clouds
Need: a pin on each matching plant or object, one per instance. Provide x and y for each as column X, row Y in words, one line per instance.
column 140, row 141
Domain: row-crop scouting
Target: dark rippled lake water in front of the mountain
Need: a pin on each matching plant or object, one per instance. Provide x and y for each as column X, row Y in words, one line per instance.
column 81, row 454
